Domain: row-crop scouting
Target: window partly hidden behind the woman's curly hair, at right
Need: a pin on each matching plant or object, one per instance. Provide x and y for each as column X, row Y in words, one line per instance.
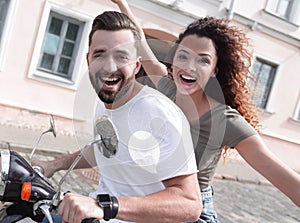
column 261, row 81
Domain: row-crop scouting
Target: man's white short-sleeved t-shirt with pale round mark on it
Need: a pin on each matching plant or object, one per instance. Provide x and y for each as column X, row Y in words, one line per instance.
column 154, row 145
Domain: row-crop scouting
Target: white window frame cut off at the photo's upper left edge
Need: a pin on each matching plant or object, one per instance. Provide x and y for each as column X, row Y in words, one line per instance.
column 6, row 31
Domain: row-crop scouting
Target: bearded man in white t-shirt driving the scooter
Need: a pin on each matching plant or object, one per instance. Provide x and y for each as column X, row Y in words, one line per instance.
column 152, row 176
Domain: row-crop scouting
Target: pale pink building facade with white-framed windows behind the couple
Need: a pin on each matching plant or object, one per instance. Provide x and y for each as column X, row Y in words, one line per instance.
column 43, row 69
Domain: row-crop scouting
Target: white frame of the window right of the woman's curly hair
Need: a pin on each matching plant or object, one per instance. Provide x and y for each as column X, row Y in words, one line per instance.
column 268, row 108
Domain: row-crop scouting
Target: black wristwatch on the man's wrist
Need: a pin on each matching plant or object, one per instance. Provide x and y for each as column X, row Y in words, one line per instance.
column 109, row 204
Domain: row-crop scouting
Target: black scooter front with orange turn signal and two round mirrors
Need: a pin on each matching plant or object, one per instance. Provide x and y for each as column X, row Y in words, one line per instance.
column 30, row 192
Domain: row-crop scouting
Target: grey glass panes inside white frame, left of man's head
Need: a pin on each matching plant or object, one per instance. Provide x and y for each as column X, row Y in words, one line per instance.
column 60, row 45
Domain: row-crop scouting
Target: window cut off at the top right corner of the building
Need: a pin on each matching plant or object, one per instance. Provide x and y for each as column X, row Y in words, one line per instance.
column 282, row 8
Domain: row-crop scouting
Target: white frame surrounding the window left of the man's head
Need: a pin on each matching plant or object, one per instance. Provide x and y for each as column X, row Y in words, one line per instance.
column 45, row 76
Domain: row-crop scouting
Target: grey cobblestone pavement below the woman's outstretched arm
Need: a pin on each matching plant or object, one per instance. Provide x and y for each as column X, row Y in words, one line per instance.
column 238, row 202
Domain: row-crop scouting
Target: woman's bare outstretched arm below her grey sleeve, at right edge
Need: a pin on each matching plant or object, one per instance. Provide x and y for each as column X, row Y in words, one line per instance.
column 258, row 155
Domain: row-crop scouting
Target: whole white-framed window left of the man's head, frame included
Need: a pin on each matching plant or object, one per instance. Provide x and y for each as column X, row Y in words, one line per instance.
column 60, row 46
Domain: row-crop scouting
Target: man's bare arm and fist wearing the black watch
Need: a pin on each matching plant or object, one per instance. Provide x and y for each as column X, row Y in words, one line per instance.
column 179, row 202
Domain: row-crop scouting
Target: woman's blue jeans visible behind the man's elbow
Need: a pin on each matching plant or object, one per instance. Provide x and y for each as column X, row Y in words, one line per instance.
column 208, row 214
